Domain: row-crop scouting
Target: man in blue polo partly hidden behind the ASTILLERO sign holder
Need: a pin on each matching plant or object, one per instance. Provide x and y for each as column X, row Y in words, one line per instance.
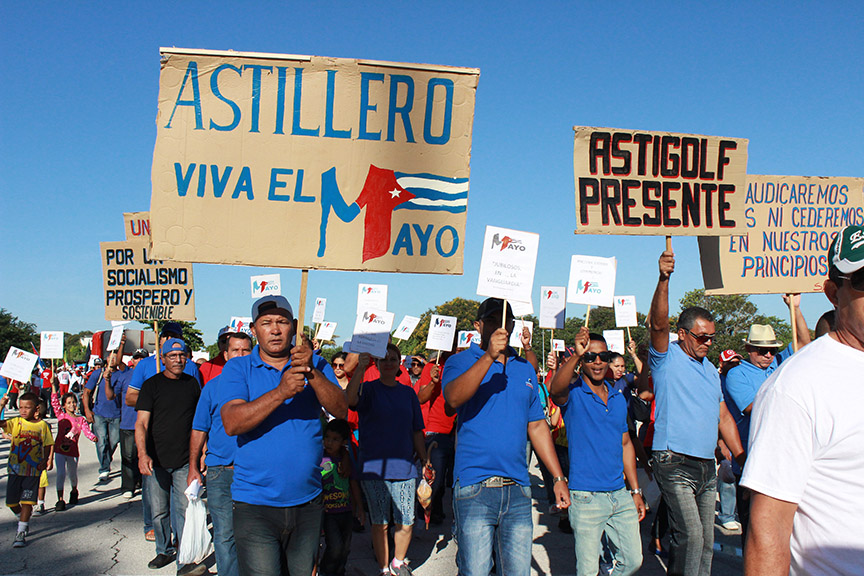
column 207, row 429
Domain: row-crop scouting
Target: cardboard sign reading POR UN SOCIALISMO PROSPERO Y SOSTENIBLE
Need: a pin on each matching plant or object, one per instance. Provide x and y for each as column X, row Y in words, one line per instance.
column 137, row 287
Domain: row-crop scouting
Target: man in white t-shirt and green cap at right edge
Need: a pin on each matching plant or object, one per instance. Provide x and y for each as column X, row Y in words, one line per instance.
column 806, row 461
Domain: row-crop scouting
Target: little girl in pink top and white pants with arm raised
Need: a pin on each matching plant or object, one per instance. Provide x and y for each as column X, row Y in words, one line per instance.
column 69, row 429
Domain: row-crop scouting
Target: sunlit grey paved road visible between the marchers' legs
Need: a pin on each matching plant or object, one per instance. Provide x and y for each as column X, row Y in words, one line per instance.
column 103, row 534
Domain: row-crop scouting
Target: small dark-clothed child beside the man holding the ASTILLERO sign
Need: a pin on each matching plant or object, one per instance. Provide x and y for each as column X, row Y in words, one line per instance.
column 341, row 495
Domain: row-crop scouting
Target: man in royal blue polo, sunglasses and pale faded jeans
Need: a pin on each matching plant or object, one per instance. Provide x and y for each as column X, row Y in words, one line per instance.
column 601, row 456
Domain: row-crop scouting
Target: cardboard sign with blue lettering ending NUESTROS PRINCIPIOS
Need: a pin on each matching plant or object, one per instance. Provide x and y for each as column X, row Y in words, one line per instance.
column 791, row 221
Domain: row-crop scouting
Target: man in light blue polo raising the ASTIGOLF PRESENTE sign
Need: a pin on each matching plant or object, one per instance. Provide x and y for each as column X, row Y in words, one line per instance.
column 689, row 409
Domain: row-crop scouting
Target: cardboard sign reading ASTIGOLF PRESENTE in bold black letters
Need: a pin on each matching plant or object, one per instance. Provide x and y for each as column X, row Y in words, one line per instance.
column 658, row 183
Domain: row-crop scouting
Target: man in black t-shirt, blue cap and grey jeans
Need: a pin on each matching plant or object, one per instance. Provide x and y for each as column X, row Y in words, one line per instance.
column 166, row 408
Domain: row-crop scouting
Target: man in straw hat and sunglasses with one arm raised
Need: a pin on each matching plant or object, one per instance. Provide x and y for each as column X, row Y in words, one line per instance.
column 764, row 356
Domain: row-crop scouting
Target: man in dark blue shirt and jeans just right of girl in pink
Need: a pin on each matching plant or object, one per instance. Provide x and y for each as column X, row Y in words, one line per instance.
column 105, row 418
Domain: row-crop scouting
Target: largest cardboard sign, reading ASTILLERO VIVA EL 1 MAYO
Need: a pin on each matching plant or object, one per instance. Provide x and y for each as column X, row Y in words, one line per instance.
column 331, row 163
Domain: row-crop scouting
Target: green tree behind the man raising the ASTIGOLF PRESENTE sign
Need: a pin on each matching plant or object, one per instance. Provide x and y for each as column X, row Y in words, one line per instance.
column 733, row 315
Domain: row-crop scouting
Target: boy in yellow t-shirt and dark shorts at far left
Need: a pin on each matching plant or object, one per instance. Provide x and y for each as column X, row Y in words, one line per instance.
column 28, row 456
